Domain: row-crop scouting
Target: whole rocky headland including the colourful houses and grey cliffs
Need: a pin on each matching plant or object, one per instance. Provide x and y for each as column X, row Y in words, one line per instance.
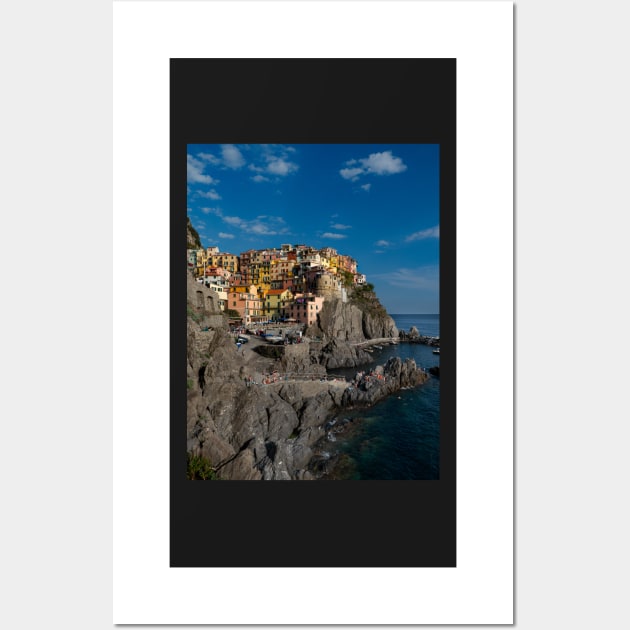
column 260, row 409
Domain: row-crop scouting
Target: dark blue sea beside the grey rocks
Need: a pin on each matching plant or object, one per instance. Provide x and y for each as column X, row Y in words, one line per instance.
column 399, row 437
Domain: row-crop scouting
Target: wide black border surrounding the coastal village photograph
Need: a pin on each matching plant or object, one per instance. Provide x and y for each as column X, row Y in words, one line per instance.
column 313, row 524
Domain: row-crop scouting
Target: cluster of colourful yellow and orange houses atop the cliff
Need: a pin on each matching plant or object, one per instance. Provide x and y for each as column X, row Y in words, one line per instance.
column 289, row 283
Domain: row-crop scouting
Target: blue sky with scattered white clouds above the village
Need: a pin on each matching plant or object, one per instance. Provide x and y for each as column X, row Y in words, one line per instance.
column 377, row 203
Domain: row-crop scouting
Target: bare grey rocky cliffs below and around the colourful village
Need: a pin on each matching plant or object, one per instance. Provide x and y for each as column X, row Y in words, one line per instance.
column 258, row 417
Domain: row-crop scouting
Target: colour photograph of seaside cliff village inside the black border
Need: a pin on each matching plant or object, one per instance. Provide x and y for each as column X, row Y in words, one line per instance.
column 313, row 311
